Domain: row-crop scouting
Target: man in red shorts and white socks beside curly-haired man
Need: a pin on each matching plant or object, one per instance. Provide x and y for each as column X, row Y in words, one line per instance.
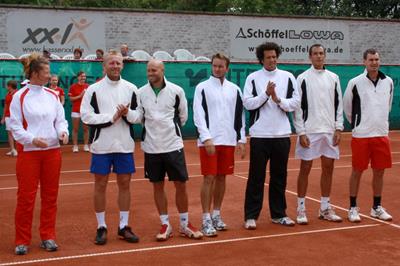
column 219, row 118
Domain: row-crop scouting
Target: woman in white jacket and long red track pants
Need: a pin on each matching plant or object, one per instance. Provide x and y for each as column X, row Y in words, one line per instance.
column 37, row 123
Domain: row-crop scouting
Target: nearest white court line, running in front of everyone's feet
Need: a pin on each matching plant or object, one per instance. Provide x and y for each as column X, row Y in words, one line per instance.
column 189, row 245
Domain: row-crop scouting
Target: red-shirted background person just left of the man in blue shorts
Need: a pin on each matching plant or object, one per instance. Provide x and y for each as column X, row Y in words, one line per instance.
column 75, row 94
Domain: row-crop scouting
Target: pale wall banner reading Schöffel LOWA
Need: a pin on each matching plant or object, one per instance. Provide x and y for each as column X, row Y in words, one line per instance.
column 294, row 36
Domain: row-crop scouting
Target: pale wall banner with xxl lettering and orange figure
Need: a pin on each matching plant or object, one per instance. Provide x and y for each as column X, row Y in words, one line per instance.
column 59, row 31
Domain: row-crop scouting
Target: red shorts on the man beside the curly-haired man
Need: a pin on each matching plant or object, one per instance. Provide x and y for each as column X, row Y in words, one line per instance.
column 220, row 163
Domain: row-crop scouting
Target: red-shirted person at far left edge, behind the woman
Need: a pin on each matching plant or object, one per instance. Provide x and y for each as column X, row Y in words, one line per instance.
column 11, row 89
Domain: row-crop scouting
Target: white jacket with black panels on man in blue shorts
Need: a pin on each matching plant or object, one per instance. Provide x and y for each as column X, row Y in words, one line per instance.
column 98, row 107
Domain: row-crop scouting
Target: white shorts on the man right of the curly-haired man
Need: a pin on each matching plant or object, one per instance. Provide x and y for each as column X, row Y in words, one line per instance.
column 321, row 144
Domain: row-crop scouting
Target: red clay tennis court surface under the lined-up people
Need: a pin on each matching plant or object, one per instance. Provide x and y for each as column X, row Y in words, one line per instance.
column 371, row 242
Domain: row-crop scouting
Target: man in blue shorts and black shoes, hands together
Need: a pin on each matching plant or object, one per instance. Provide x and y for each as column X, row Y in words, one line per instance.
column 109, row 107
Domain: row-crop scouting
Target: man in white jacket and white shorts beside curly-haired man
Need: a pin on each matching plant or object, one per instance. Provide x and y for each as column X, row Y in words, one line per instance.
column 318, row 124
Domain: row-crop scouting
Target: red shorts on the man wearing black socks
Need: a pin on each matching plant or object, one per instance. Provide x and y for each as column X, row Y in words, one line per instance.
column 376, row 149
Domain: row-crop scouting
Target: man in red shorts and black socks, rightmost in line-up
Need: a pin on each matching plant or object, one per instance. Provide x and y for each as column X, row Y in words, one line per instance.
column 367, row 103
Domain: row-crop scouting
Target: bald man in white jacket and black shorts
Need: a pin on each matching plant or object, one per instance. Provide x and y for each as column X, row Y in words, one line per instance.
column 164, row 108
